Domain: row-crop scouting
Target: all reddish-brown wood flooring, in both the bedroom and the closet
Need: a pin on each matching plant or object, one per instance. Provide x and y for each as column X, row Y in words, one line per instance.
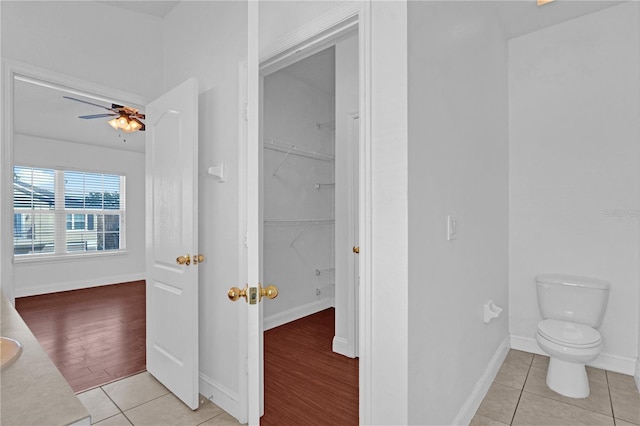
column 97, row 335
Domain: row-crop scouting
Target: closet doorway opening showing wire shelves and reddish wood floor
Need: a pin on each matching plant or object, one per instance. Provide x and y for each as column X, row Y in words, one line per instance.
column 309, row 199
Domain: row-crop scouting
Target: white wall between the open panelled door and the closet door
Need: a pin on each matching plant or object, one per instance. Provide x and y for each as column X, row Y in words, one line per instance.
column 208, row 40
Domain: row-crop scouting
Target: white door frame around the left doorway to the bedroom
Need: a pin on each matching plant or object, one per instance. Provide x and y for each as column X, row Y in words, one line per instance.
column 11, row 69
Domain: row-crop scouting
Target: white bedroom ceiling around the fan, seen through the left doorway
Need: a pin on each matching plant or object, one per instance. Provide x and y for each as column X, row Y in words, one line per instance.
column 43, row 112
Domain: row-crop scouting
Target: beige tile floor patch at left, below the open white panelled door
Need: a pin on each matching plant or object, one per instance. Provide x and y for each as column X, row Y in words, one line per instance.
column 142, row 400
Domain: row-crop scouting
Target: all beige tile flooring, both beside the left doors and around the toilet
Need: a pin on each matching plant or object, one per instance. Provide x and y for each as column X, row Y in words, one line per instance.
column 518, row 396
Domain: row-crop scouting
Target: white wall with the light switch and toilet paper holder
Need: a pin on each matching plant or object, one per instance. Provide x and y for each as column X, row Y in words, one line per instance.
column 457, row 166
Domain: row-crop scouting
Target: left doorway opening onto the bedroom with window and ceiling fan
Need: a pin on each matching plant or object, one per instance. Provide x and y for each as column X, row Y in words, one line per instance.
column 74, row 241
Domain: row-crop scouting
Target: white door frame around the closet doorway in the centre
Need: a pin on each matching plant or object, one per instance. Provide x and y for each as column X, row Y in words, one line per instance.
column 289, row 49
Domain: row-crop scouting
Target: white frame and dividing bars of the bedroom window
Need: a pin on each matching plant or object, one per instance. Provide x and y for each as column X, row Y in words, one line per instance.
column 60, row 212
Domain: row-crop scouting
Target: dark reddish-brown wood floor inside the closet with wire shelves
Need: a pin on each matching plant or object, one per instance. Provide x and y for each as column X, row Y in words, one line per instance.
column 305, row 382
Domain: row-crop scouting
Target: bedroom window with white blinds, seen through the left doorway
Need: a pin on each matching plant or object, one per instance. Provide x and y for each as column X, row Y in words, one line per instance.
column 60, row 212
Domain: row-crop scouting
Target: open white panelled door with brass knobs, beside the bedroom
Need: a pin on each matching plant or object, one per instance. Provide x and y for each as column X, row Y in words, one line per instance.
column 172, row 240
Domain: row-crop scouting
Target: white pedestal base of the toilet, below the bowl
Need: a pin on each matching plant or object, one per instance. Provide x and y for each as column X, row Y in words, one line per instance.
column 568, row 378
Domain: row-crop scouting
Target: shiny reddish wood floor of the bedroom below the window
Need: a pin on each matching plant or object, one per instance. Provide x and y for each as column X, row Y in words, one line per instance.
column 94, row 336
